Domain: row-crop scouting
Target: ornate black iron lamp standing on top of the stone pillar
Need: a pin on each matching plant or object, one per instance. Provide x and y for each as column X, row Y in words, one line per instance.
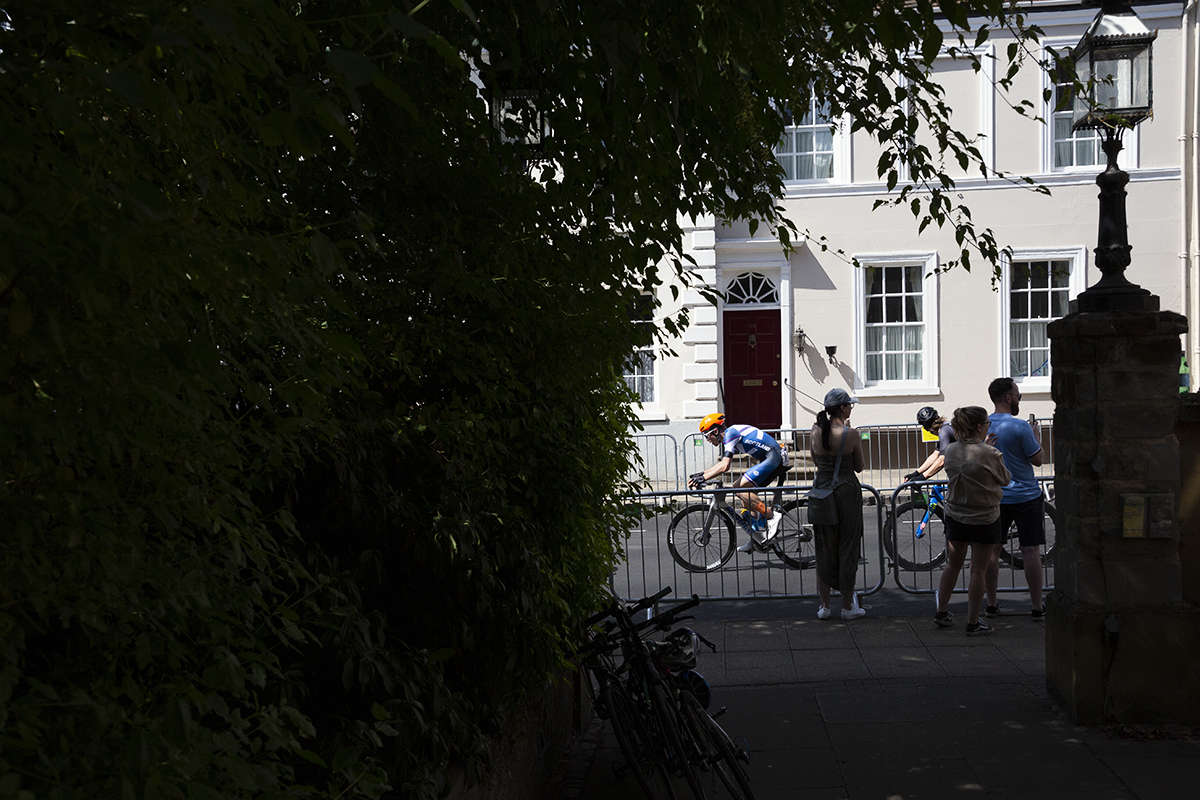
column 1114, row 61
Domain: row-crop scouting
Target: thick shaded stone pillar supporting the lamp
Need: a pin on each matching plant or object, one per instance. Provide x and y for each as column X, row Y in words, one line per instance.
column 1123, row 643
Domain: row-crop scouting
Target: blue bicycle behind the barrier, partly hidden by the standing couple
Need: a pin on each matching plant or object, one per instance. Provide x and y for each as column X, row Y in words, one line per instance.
column 915, row 538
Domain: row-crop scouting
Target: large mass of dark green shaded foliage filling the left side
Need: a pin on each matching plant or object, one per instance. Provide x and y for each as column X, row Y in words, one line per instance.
column 311, row 410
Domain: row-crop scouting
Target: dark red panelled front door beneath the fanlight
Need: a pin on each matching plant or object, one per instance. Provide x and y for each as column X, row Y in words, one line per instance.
column 753, row 369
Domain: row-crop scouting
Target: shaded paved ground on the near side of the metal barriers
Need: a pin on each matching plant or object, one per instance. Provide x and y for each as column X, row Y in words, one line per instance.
column 890, row 707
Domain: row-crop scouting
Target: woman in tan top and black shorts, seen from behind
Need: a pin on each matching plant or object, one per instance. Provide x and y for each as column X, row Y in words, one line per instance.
column 977, row 480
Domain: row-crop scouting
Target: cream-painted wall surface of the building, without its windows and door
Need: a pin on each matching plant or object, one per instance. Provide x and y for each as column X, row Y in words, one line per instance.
column 820, row 287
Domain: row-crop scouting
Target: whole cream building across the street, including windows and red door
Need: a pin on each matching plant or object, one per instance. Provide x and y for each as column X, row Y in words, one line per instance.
column 905, row 335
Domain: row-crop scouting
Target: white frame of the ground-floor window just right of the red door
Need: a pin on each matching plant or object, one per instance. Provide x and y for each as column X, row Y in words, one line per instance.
column 929, row 383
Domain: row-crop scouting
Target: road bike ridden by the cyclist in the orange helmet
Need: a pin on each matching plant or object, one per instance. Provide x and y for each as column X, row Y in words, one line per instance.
column 701, row 538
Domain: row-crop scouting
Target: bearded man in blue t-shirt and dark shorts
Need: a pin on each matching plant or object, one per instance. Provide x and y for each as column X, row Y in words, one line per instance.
column 1021, row 443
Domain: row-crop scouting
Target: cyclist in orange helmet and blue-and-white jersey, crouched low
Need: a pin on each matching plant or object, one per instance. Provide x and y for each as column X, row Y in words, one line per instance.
column 772, row 464
